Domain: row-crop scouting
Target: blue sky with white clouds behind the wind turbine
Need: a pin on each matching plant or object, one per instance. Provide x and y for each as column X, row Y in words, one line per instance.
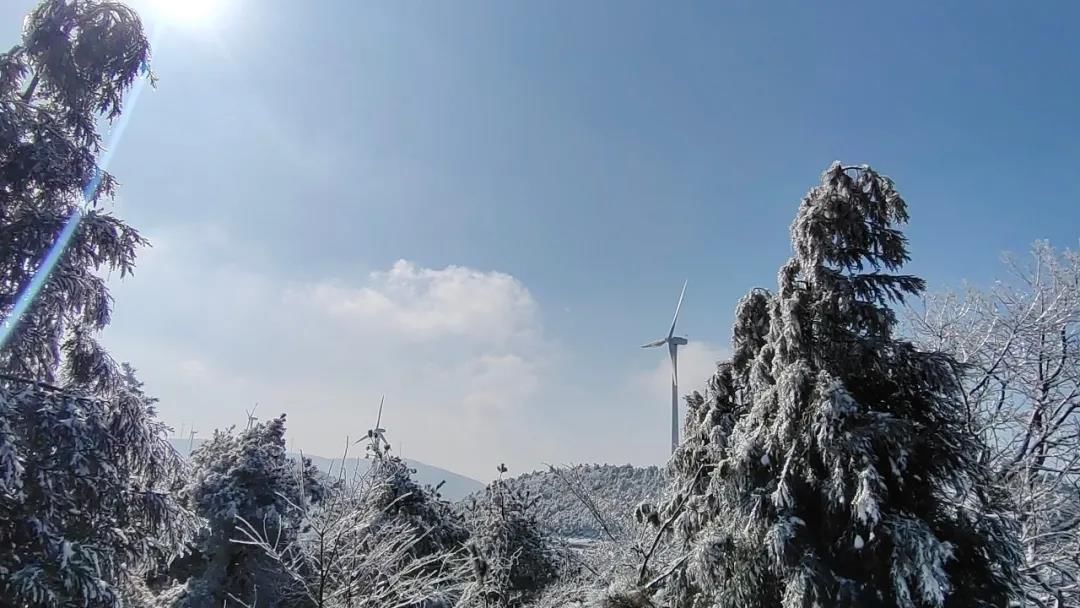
column 572, row 164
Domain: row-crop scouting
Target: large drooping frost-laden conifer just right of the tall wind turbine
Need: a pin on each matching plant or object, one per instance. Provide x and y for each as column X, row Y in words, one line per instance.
column 830, row 465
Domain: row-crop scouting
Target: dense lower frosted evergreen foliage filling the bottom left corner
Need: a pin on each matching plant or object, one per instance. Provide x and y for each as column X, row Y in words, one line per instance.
column 86, row 494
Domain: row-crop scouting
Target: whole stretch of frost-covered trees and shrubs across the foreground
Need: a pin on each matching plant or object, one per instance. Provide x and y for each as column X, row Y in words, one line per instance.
column 869, row 443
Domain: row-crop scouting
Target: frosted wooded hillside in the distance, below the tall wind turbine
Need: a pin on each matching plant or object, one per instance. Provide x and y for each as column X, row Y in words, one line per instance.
column 616, row 490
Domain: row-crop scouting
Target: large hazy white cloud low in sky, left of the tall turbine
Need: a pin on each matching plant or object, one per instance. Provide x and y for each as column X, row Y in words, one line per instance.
column 458, row 352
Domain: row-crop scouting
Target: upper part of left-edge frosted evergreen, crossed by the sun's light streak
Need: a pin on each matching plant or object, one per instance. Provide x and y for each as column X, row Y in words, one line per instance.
column 75, row 63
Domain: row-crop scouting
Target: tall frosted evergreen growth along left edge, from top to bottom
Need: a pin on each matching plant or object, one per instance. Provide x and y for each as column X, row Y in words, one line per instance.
column 86, row 471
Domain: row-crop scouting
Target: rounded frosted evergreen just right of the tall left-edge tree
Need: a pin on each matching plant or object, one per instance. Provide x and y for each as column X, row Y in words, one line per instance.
column 245, row 478
